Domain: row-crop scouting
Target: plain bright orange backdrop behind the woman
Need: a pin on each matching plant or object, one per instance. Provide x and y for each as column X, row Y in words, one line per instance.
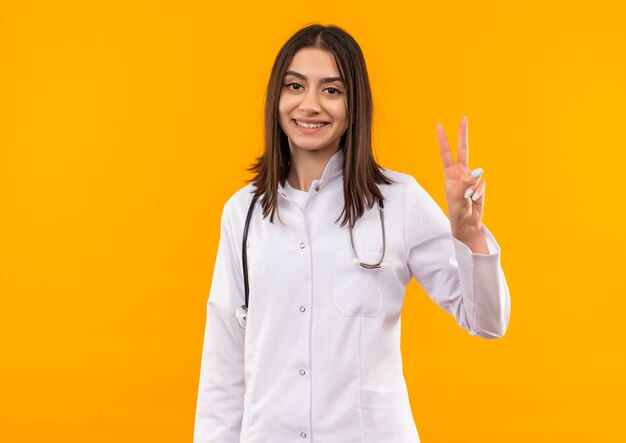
column 125, row 126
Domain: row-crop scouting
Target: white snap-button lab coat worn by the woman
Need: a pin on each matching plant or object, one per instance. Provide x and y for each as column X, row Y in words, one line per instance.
column 320, row 358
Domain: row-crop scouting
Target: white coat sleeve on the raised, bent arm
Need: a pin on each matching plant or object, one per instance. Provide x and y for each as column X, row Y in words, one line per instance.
column 469, row 286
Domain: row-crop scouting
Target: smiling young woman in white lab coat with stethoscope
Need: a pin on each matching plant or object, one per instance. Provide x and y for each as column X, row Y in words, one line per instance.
column 302, row 339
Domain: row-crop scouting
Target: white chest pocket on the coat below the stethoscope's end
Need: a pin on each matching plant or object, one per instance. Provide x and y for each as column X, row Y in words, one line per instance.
column 357, row 291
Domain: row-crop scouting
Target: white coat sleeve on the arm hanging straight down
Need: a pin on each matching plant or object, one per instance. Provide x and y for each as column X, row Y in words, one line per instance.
column 219, row 408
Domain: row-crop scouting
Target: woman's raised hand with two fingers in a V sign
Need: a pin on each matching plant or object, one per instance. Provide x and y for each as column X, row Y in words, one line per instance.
column 465, row 192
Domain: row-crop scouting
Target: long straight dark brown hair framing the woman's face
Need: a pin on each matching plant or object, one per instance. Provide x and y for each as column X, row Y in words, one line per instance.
column 361, row 173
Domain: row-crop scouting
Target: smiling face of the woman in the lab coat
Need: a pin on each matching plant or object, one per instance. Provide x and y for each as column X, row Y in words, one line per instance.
column 313, row 94
